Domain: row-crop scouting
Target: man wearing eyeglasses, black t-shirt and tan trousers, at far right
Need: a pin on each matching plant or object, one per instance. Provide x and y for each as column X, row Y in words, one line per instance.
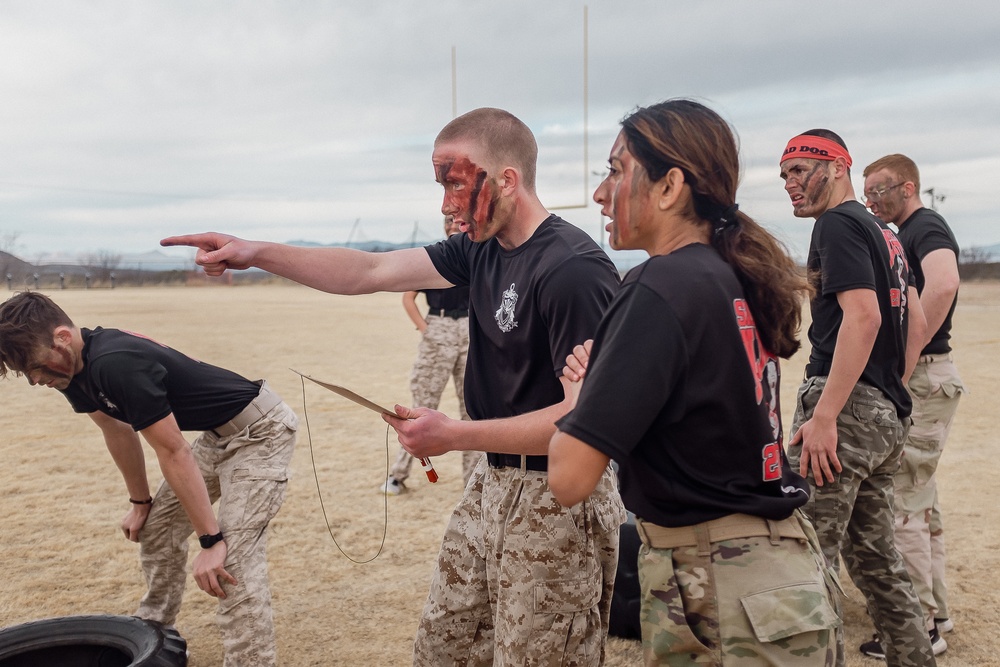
column 892, row 192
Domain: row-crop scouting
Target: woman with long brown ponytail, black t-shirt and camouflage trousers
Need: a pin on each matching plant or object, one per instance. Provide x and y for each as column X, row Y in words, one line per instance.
column 680, row 387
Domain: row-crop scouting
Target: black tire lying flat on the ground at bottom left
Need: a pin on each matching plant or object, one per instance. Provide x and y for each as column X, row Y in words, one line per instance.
column 92, row 641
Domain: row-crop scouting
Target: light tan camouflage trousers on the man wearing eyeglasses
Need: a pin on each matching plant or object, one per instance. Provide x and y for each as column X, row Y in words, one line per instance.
column 936, row 389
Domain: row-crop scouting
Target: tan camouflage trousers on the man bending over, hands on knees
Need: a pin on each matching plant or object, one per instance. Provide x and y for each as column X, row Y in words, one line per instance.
column 248, row 474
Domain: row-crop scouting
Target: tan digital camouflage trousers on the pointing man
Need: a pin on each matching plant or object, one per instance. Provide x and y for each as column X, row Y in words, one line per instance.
column 520, row 580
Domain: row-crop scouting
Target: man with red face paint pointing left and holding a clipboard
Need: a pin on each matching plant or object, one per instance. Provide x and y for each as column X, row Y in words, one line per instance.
column 520, row 580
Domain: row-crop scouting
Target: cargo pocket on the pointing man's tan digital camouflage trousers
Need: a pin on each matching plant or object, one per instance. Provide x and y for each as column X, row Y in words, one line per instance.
column 565, row 621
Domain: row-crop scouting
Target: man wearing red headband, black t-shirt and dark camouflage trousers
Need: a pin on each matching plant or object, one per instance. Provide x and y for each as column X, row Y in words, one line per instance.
column 852, row 409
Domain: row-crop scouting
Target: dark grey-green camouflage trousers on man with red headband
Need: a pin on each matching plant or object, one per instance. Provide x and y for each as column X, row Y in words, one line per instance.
column 854, row 518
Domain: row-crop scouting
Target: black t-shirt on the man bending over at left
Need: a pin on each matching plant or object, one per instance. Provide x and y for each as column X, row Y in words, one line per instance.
column 139, row 381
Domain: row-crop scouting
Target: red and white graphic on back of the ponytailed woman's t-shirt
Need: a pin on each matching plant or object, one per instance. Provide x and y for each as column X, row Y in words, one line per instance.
column 764, row 367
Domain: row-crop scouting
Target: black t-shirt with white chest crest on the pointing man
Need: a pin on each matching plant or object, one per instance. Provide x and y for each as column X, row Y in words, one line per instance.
column 528, row 307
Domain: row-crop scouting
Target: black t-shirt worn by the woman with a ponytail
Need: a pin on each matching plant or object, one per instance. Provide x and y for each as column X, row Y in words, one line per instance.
column 681, row 393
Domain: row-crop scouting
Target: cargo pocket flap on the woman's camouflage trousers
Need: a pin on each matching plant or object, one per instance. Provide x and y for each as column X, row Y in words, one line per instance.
column 782, row 612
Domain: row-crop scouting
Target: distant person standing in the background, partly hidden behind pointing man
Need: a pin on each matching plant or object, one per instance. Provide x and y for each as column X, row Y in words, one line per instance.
column 444, row 346
